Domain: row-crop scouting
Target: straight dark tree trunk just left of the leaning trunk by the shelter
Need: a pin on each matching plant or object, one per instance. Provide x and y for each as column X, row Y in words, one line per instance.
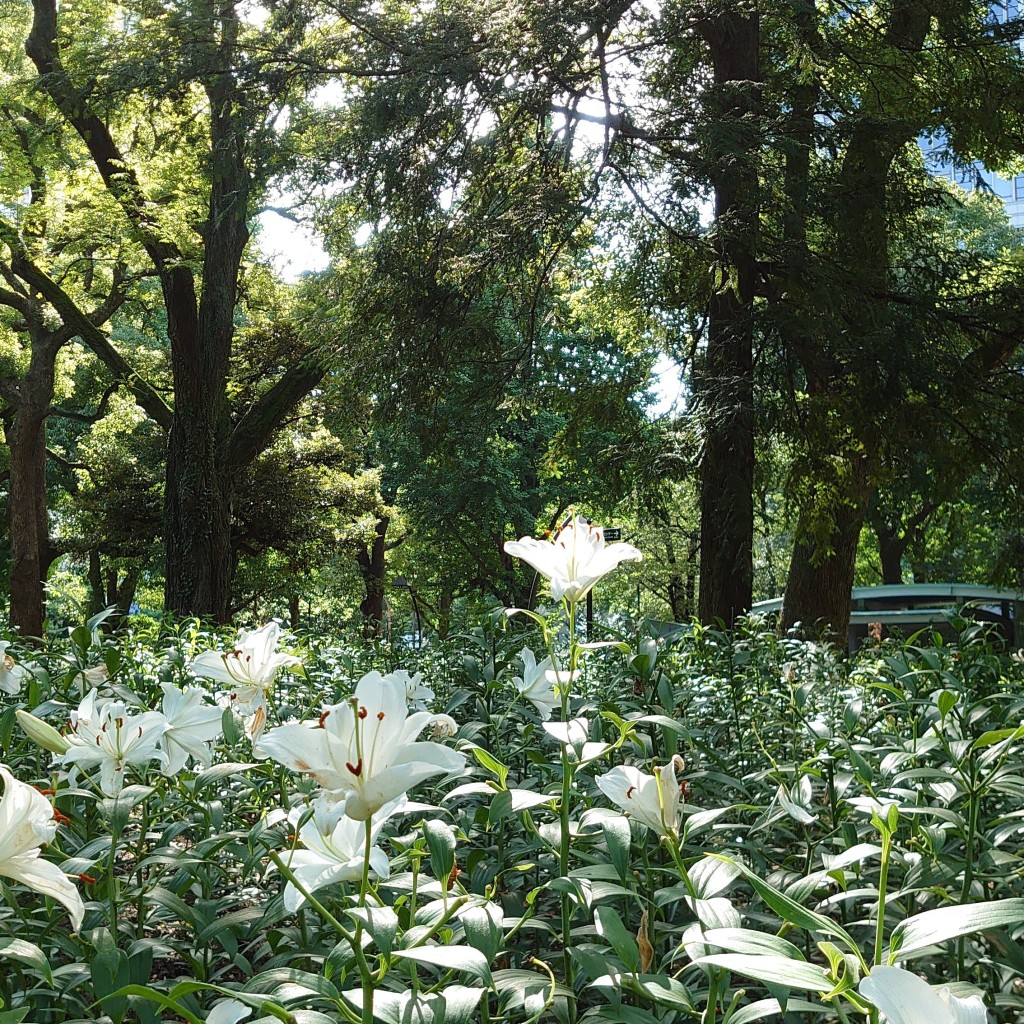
column 726, row 388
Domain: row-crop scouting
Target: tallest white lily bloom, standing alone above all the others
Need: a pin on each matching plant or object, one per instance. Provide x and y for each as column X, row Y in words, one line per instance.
column 575, row 560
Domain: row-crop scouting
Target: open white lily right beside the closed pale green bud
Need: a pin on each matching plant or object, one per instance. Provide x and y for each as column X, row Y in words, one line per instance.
column 107, row 736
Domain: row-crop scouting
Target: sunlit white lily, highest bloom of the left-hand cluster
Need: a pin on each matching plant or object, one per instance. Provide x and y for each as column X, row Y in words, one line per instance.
column 249, row 669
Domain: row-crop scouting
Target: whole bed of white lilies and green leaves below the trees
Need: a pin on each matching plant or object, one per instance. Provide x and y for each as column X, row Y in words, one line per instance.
column 675, row 826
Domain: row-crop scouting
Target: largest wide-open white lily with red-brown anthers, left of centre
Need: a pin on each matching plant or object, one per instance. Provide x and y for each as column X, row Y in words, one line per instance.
column 364, row 752
